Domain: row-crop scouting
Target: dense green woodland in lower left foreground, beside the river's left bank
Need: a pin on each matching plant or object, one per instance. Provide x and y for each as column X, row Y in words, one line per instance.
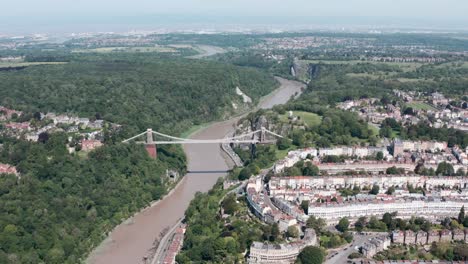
column 62, row 206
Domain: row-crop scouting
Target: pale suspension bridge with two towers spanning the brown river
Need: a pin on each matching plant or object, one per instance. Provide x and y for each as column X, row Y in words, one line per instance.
column 254, row 137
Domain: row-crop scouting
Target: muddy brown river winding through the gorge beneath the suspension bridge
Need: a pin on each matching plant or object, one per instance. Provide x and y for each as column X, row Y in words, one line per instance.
column 131, row 241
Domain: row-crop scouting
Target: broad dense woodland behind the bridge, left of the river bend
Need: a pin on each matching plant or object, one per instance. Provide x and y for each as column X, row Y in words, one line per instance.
column 135, row 91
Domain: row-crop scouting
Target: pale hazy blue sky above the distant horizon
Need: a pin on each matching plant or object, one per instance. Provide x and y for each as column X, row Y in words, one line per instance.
column 437, row 9
